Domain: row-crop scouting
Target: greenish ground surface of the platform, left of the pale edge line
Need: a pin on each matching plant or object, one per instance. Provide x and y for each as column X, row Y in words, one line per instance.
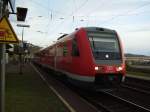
column 28, row 93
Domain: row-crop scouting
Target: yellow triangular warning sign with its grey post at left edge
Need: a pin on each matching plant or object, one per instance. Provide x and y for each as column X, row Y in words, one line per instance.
column 7, row 35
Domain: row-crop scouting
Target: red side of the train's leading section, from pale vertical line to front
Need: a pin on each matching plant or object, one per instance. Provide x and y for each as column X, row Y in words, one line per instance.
column 74, row 57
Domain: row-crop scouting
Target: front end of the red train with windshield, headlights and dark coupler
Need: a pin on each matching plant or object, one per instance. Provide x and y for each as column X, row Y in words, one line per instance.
column 108, row 56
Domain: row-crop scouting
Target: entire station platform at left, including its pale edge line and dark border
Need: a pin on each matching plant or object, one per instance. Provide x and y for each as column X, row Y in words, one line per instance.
column 31, row 92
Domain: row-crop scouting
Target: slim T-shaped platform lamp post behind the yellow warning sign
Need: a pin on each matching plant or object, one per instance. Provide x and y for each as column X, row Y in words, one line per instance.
column 21, row 47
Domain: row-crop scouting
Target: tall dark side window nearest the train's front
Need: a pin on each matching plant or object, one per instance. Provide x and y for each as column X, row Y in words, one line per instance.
column 75, row 49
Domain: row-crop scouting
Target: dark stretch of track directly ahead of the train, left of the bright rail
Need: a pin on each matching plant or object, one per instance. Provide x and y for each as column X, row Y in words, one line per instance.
column 105, row 101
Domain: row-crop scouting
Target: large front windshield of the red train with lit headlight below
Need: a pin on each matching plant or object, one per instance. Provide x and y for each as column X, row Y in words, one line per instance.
column 105, row 46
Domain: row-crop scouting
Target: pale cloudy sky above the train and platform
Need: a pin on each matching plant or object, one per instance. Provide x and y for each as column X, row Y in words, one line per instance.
column 49, row 19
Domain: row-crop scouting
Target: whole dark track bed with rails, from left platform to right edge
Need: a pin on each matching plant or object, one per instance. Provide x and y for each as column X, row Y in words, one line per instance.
column 124, row 99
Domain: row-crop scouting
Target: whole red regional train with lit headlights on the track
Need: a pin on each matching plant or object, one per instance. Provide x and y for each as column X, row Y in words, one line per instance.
column 89, row 55
